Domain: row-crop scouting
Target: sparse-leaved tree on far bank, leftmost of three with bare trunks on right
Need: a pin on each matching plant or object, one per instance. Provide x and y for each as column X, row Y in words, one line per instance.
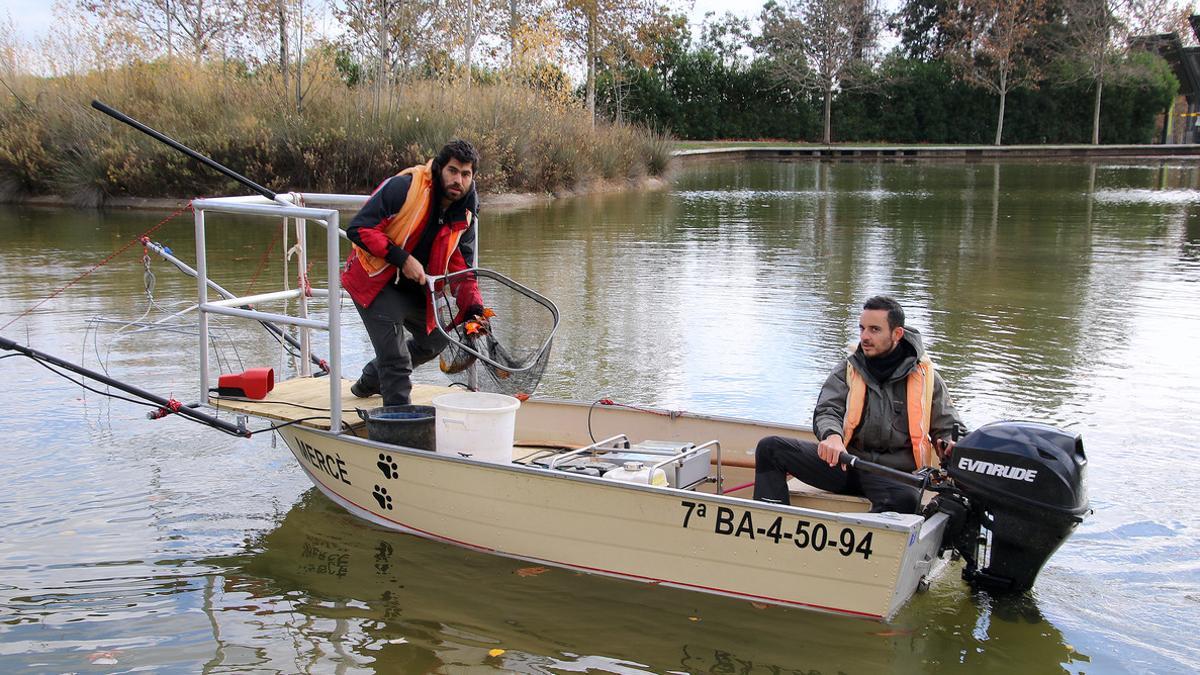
column 815, row 45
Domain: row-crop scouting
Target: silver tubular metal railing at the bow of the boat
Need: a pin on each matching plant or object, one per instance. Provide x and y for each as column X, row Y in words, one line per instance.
column 327, row 216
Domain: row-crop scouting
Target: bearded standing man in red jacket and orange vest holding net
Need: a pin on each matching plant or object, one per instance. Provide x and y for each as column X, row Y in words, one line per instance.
column 419, row 222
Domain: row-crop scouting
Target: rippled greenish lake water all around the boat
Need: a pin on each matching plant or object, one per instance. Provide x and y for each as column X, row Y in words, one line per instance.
column 1057, row 292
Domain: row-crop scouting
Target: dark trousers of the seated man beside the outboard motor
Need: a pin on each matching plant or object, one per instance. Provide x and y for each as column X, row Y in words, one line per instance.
column 777, row 457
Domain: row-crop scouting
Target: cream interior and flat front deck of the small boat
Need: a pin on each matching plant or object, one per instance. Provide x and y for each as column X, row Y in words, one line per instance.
column 695, row 452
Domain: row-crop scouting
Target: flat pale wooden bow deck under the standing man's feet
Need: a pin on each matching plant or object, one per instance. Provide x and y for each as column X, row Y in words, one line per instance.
column 309, row 398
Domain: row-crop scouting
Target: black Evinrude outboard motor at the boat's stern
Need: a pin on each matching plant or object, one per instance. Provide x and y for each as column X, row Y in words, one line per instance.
column 1023, row 482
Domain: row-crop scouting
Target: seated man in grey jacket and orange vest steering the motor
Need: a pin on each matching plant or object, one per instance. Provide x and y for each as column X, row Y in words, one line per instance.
column 884, row 404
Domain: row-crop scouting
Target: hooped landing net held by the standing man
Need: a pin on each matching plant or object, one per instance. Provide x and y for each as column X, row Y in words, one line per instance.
column 507, row 350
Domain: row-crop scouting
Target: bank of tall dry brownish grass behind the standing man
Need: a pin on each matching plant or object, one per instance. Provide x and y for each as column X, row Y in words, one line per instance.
column 343, row 140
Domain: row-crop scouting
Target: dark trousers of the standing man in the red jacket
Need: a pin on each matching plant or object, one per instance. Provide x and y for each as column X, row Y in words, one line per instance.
column 386, row 320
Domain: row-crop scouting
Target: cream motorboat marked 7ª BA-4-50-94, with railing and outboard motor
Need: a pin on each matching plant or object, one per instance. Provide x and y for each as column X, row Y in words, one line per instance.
column 547, row 499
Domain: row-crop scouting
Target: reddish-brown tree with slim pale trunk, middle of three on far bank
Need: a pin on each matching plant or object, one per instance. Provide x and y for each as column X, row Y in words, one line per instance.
column 994, row 46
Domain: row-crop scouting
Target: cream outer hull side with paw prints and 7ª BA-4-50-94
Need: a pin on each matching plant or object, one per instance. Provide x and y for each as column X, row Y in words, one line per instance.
column 855, row 564
